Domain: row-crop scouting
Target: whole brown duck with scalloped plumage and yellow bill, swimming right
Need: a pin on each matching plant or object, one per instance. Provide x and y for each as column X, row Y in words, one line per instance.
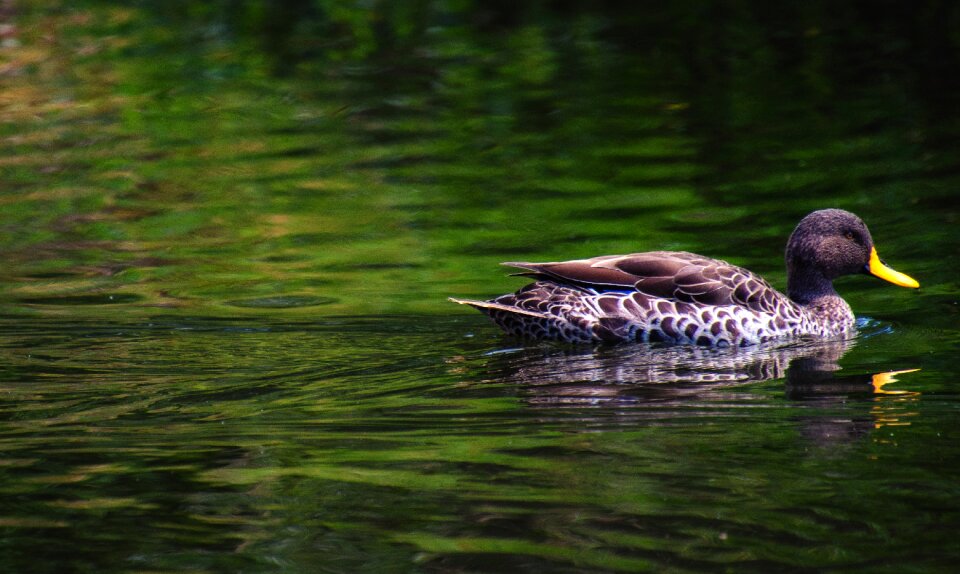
column 677, row 297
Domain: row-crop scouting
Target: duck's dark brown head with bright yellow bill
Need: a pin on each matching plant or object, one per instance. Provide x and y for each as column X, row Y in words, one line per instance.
column 828, row 244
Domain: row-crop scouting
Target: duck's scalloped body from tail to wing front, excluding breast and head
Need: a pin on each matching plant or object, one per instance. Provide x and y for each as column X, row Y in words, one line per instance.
column 655, row 296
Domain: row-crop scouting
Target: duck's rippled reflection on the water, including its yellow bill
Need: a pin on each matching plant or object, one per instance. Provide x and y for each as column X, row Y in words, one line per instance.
column 688, row 377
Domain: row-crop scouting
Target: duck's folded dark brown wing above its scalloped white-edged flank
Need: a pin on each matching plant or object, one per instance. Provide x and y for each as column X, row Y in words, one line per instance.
column 675, row 275
